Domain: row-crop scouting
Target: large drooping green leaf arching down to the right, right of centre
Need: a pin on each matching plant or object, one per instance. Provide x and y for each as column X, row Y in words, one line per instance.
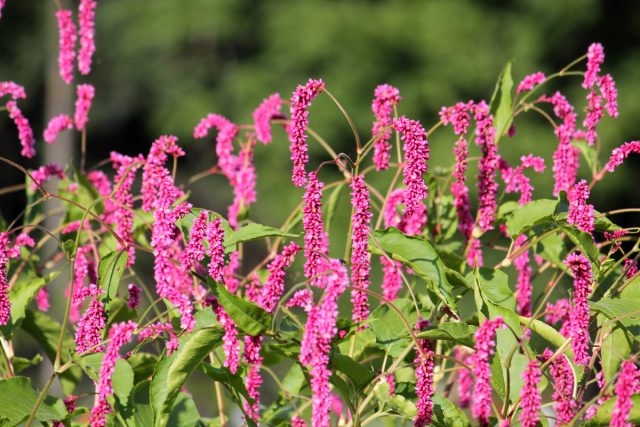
column 417, row 254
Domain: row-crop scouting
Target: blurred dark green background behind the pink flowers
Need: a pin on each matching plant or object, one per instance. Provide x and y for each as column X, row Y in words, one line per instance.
column 161, row 65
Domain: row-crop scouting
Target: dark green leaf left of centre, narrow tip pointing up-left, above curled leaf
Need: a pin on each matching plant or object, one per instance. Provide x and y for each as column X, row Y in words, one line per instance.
column 249, row 318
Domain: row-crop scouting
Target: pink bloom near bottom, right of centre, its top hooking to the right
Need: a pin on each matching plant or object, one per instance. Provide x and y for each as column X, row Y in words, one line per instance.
column 485, row 344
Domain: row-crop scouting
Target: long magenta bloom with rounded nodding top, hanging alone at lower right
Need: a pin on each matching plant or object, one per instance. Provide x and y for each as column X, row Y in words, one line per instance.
column 579, row 316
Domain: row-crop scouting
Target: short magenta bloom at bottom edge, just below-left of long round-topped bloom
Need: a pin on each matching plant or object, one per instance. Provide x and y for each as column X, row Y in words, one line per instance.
column 562, row 375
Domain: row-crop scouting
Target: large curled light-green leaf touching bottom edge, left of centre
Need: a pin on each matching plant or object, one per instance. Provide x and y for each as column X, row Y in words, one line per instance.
column 172, row 372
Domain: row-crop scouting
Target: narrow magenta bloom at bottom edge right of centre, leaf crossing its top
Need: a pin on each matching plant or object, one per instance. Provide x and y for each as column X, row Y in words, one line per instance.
column 424, row 381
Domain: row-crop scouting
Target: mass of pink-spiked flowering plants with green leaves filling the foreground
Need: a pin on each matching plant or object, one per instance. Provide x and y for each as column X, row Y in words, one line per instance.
column 546, row 334
